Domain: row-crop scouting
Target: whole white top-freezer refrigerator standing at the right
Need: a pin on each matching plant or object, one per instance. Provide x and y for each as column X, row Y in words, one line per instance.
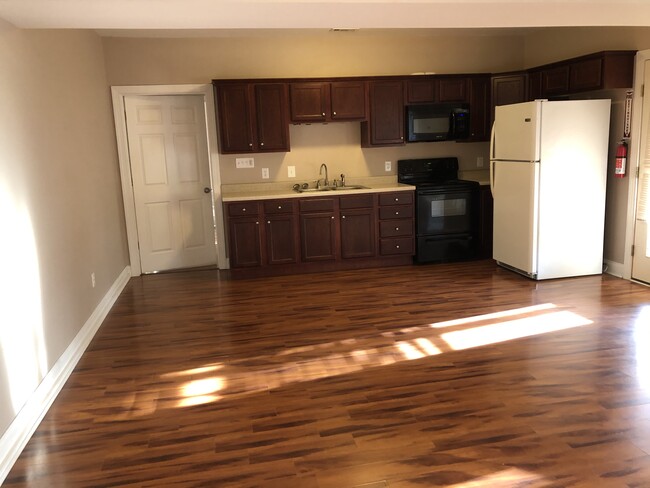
column 548, row 172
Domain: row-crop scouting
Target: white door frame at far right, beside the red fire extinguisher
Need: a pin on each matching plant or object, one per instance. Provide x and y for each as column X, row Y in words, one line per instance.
column 633, row 157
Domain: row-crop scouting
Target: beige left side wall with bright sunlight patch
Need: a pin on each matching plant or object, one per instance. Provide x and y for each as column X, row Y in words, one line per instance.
column 60, row 201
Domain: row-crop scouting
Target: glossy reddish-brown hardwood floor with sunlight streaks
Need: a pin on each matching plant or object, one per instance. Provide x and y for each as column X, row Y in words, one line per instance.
column 461, row 375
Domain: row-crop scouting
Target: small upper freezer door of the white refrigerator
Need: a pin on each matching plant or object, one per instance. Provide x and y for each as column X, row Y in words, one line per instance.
column 516, row 132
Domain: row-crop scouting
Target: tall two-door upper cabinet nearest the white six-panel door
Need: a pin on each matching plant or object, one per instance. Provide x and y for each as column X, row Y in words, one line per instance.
column 252, row 117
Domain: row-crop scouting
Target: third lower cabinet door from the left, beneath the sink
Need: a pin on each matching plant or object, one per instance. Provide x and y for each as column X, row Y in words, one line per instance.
column 318, row 236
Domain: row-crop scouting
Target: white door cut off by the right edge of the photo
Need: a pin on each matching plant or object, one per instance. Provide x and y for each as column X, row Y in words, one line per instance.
column 641, row 258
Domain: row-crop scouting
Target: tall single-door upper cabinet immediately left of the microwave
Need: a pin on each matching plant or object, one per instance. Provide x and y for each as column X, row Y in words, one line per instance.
column 385, row 126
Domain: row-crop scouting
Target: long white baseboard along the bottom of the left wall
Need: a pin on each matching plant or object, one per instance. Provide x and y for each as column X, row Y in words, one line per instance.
column 14, row 440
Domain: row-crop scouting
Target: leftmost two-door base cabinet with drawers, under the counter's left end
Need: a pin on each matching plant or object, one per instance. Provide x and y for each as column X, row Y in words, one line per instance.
column 259, row 238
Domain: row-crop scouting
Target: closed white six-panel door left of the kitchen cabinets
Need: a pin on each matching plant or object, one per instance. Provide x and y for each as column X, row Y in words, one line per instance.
column 171, row 181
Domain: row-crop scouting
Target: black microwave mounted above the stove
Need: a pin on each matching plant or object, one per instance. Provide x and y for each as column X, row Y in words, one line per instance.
column 437, row 122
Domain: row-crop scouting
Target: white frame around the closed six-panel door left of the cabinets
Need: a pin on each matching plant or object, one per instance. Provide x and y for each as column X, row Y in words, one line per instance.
column 118, row 94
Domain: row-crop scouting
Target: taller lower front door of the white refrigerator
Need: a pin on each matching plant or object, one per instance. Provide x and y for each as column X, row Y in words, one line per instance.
column 515, row 190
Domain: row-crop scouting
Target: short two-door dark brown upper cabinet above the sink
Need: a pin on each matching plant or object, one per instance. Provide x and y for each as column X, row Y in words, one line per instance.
column 327, row 101
